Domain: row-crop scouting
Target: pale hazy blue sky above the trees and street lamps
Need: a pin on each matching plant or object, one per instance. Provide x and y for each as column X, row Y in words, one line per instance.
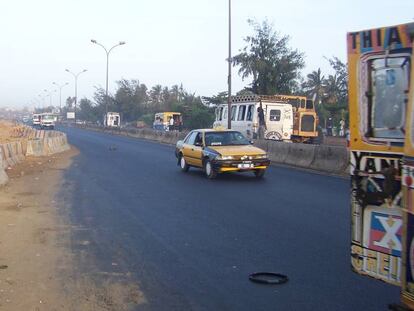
column 167, row 42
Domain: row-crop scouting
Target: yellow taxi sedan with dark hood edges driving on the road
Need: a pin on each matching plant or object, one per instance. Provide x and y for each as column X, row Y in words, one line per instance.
column 219, row 151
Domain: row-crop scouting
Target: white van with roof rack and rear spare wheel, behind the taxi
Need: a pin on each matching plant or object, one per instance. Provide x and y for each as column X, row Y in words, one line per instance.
column 244, row 117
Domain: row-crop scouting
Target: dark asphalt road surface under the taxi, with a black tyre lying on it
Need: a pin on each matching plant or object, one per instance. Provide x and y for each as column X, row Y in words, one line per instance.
column 191, row 243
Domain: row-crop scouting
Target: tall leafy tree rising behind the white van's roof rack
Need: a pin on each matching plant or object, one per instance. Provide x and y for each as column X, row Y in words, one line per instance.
column 274, row 67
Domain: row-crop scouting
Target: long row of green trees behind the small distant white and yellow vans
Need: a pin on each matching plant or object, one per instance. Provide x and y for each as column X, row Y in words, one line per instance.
column 136, row 103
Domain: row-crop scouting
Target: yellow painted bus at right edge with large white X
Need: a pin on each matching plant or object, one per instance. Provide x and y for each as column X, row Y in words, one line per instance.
column 382, row 154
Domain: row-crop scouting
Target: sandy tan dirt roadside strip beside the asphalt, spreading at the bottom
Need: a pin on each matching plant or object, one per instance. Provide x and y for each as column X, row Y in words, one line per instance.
column 37, row 265
